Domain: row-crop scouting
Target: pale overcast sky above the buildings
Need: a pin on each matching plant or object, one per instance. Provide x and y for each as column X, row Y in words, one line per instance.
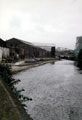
column 44, row 21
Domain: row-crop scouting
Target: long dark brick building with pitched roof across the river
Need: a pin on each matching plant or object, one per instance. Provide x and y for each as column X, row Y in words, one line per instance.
column 24, row 49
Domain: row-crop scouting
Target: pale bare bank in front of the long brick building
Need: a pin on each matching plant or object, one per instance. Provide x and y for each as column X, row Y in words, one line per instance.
column 20, row 67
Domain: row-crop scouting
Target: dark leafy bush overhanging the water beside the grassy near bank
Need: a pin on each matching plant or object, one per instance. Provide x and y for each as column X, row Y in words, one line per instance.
column 7, row 76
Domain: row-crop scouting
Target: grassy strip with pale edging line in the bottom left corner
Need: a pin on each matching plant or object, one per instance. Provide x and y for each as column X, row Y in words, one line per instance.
column 10, row 107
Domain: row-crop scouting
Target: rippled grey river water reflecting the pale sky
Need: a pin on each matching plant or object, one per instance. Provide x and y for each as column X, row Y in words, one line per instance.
column 56, row 90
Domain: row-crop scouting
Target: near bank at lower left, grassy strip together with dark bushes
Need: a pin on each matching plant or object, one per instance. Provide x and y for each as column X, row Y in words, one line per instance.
column 11, row 107
